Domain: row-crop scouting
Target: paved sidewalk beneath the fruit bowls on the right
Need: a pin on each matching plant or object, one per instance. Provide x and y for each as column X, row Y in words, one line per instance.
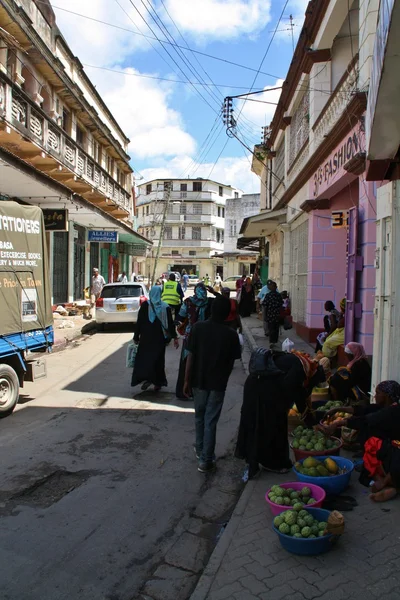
column 249, row 564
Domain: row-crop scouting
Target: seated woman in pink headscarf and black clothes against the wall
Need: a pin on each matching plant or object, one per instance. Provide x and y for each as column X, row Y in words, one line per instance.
column 352, row 382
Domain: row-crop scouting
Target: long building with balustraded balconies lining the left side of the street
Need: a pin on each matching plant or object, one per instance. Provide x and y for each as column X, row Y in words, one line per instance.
column 62, row 149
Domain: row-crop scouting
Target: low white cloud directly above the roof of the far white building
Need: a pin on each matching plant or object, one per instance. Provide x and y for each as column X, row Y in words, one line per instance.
column 229, row 170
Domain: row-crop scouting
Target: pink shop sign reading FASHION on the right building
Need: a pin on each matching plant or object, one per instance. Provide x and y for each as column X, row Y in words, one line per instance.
column 332, row 169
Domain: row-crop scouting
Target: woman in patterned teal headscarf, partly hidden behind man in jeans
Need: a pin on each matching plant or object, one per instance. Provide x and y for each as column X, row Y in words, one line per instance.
column 195, row 308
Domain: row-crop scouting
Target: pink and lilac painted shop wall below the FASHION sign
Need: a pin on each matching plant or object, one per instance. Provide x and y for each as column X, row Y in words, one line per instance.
column 327, row 257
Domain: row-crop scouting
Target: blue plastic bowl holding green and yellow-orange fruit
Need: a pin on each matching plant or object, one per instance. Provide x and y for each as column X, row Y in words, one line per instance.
column 332, row 473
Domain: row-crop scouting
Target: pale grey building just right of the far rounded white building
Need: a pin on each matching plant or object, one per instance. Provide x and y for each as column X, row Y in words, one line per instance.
column 239, row 261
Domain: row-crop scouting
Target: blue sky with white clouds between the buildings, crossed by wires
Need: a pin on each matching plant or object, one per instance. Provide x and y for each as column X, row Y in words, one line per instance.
column 168, row 100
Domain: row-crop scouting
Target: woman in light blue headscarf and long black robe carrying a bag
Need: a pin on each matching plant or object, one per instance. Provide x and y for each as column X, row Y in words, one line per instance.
column 153, row 332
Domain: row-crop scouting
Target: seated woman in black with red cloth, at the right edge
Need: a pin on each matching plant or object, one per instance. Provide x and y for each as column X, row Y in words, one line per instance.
column 379, row 426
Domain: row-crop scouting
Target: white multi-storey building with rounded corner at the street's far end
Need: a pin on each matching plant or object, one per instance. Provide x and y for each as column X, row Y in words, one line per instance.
column 194, row 223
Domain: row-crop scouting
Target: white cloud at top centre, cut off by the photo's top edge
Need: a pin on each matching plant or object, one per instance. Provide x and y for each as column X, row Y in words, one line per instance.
column 220, row 19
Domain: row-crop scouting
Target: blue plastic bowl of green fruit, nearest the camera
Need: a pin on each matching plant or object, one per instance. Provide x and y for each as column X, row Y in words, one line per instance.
column 304, row 532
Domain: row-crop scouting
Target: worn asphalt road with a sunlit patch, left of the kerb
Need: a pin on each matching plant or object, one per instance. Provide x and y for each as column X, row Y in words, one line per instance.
column 94, row 481
